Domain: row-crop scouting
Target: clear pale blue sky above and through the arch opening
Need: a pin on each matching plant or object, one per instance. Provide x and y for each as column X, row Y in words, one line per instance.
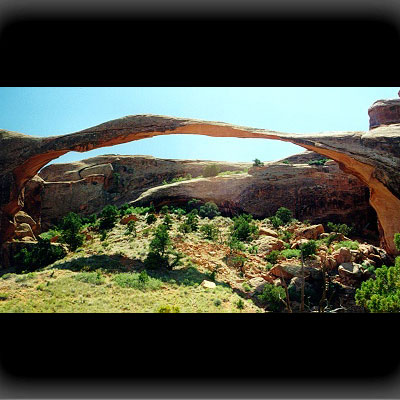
column 61, row 110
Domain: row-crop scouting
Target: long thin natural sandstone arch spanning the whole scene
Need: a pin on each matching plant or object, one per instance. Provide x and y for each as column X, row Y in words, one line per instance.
column 373, row 157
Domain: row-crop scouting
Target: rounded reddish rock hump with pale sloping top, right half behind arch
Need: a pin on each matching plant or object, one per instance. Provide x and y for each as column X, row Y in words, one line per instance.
column 316, row 193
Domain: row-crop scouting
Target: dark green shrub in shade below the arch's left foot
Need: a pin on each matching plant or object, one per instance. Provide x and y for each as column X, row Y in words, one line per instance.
column 41, row 255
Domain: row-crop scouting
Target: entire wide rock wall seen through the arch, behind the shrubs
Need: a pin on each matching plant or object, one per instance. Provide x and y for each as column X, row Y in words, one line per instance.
column 316, row 193
